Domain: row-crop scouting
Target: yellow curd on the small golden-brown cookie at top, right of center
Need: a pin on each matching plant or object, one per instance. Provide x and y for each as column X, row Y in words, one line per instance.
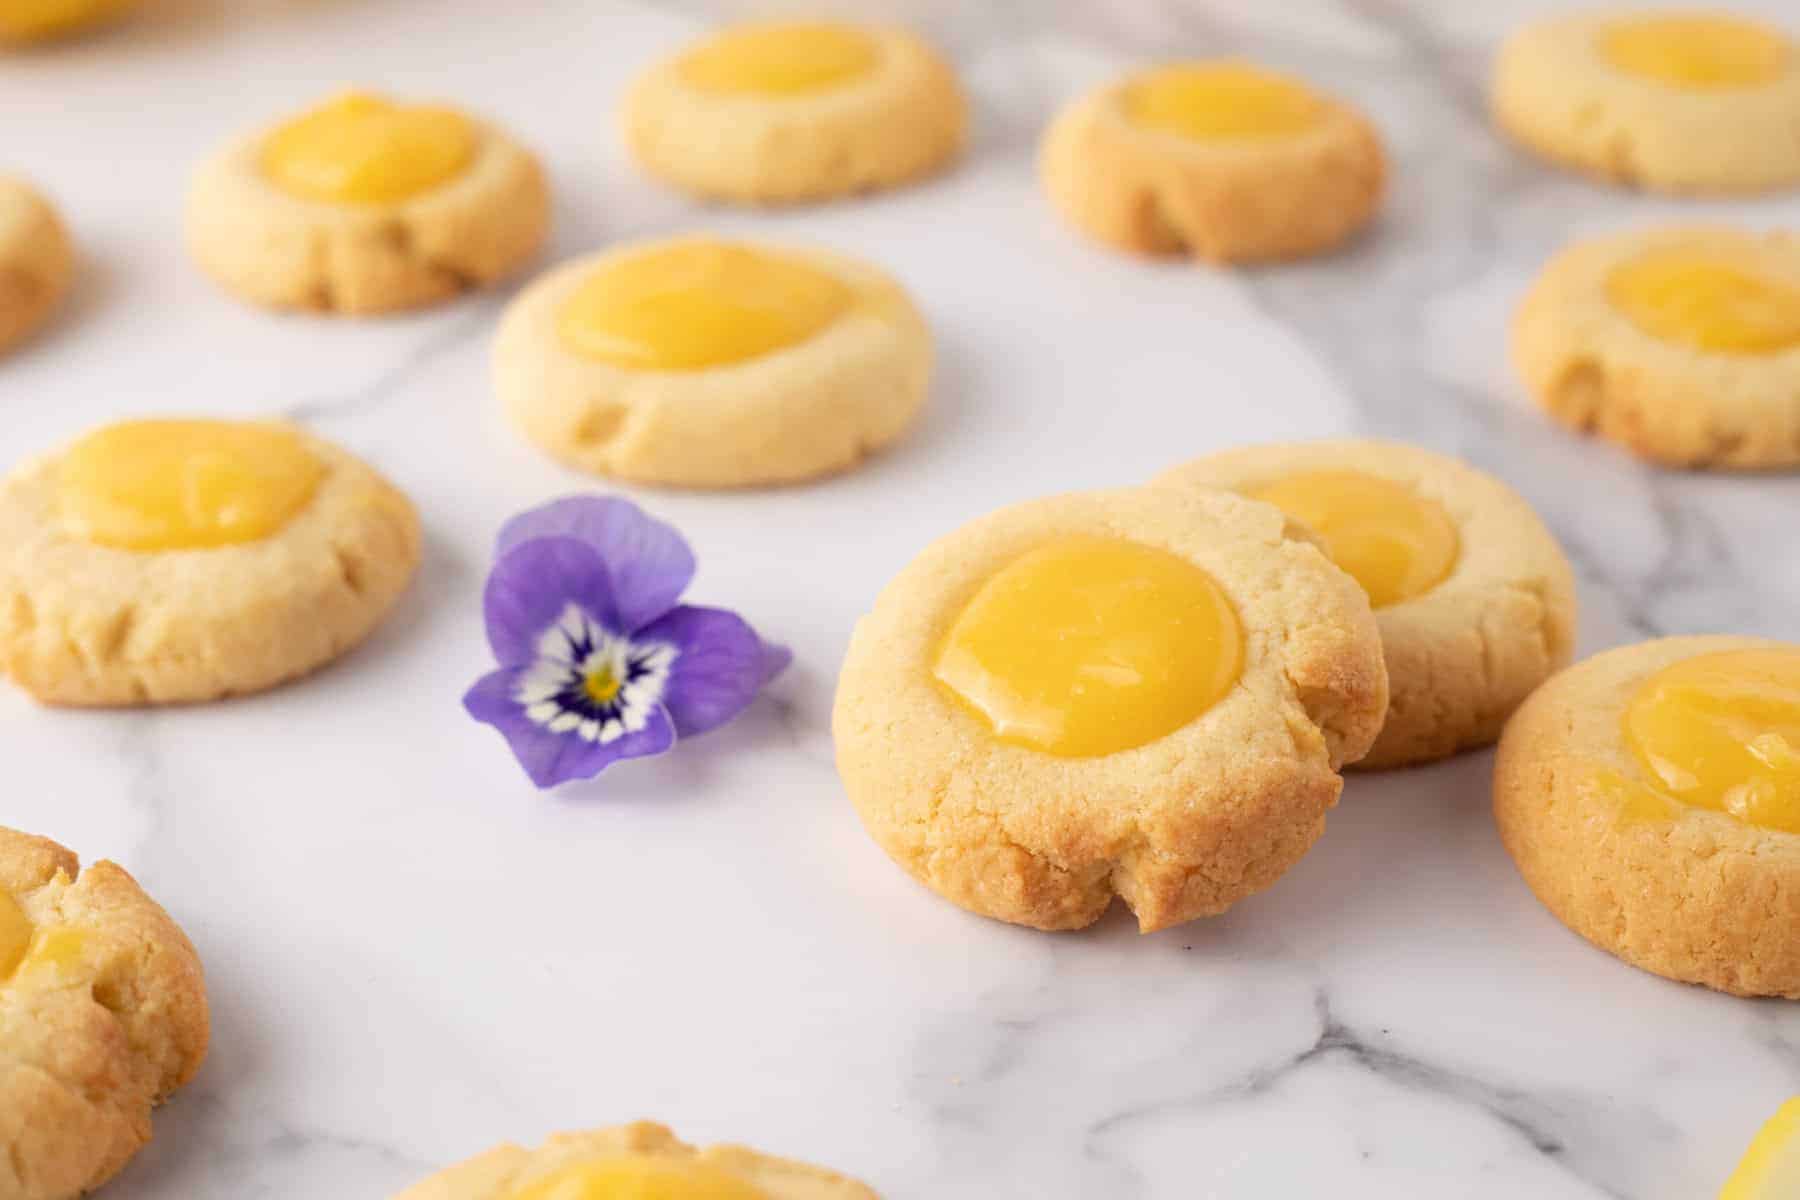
column 1221, row 102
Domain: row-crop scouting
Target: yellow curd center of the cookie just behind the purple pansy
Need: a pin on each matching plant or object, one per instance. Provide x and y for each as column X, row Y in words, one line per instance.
column 697, row 305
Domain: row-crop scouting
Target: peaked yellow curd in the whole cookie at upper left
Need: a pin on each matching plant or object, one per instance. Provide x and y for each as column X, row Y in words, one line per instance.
column 363, row 148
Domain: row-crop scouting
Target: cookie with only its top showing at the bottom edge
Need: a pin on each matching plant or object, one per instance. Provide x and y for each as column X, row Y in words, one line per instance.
column 640, row 1160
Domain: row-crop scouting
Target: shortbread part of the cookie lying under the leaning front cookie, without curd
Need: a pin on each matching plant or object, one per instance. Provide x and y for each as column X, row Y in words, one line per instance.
column 1468, row 652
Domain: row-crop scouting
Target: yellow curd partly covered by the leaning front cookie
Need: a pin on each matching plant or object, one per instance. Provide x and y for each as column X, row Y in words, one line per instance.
column 1390, row 539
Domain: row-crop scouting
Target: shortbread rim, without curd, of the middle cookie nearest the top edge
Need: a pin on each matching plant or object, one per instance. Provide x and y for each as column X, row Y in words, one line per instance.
column 906, row 120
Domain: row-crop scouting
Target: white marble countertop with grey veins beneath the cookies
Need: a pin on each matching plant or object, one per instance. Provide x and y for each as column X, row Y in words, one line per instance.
column 415, row 956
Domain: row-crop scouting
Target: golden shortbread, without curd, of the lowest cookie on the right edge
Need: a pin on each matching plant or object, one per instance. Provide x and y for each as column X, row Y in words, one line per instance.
column 1704, row 899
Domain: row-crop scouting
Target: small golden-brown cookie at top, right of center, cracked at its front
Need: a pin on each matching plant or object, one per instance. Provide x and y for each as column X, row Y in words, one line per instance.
column 1223, row 161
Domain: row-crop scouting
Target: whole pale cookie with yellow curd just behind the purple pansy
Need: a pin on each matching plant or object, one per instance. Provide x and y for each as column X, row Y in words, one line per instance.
column 712, row 364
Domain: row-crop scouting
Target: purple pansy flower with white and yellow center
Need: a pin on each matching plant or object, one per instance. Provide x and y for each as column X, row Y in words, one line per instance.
column 598, row 661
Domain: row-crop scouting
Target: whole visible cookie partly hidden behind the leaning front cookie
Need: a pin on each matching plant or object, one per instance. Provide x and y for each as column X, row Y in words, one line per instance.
column 1473, row 596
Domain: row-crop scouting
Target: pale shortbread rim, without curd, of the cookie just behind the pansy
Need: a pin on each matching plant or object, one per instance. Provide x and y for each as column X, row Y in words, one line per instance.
column 793, row 415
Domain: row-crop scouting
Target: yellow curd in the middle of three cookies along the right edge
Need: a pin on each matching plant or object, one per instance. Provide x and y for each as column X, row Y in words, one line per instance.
column 1707, row 303
